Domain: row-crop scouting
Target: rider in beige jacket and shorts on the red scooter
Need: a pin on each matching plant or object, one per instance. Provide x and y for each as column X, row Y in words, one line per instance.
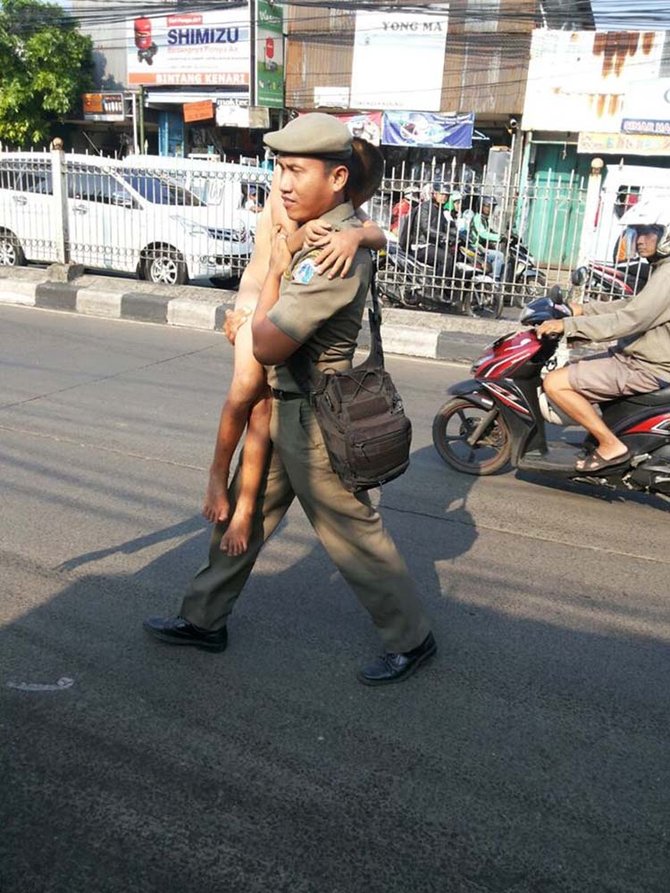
column 639, row 363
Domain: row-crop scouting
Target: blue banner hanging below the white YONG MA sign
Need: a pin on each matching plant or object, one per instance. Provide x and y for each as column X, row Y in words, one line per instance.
column 428, row 130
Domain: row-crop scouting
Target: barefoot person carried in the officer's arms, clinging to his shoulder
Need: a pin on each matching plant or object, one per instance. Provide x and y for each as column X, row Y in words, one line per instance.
column 248, row 401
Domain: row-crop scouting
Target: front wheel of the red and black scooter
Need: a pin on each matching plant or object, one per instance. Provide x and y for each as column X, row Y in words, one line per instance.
column 453, row 429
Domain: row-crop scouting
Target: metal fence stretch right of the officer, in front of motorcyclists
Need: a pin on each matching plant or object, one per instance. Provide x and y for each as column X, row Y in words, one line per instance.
column 444, row 254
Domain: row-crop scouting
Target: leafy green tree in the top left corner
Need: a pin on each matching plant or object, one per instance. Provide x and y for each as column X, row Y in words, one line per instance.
column 45, row 66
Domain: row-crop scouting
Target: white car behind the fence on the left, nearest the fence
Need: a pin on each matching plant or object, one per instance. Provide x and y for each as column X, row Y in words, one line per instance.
column 117, row 218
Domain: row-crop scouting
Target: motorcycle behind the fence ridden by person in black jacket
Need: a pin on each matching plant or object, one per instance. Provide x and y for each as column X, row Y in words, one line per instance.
column 405, row 281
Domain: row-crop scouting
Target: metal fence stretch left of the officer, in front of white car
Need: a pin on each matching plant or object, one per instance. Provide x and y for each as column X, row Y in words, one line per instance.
column 167, row 220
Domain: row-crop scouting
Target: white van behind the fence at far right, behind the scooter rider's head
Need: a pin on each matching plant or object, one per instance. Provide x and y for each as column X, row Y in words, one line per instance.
column 623, row 186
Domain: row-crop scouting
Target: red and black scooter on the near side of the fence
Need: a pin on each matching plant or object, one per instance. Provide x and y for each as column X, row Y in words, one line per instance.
column 499, row 416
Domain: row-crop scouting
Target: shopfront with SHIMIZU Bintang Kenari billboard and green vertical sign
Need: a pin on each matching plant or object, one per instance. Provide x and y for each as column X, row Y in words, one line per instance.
column 211, row 82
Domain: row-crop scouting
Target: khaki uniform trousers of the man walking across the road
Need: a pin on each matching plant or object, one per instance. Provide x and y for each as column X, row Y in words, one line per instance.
column 347, row 525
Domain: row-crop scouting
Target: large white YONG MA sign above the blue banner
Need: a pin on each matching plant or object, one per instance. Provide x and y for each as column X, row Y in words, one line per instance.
column 398, row 61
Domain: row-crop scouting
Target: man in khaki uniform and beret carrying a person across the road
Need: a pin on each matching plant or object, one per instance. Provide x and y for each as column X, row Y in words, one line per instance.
column 298, row 306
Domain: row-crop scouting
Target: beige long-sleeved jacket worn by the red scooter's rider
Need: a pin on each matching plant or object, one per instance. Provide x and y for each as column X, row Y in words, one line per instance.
column 641, row 323
